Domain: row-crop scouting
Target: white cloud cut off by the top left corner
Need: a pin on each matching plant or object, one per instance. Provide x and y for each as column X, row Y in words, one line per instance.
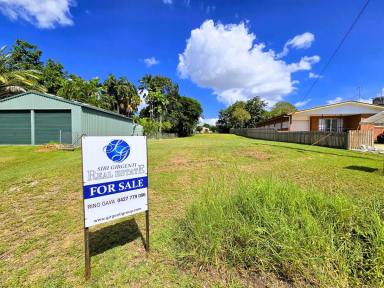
column 42, row 13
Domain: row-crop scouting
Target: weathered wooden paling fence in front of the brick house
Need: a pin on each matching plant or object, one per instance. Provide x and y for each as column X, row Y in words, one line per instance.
column 346, row 140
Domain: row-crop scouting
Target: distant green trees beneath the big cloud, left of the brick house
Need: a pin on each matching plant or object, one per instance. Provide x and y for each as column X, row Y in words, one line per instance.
column 248, row 113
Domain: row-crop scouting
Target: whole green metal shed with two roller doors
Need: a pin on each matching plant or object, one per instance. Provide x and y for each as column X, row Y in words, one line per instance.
column 38, row 118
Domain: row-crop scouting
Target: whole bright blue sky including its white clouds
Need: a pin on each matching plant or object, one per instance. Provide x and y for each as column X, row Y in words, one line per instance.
column 235, row 52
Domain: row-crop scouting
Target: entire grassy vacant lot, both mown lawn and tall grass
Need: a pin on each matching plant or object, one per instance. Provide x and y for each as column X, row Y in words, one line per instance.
column 41, row 240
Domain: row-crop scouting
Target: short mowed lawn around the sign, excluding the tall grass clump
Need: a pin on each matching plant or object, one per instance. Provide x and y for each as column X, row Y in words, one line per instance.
column 41, row 238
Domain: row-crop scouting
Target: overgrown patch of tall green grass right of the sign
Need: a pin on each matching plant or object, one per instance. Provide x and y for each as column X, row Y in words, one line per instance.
column 302, row 236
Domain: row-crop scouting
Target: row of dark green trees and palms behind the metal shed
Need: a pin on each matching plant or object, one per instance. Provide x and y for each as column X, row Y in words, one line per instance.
column 21, row 69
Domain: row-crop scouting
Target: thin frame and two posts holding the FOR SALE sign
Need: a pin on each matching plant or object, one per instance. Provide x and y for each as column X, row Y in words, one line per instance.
column 87, row 255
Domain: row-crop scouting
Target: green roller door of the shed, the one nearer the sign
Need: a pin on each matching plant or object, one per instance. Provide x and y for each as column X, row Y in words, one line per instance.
column 49, row 125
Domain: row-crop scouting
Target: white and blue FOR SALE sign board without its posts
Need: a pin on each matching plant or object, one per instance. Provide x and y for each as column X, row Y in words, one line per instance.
column 115, row 180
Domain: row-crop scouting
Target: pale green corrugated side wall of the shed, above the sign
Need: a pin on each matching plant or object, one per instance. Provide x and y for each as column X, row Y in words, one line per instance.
column 97, row 123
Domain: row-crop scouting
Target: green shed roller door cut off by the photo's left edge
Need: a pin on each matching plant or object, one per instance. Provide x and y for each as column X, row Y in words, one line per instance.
column 15, row 127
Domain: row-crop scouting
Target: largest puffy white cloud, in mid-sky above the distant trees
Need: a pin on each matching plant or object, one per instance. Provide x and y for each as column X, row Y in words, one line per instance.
column 226, row 59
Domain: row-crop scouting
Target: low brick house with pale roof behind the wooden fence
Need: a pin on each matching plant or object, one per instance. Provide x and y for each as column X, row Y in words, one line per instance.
column 339, row 117
